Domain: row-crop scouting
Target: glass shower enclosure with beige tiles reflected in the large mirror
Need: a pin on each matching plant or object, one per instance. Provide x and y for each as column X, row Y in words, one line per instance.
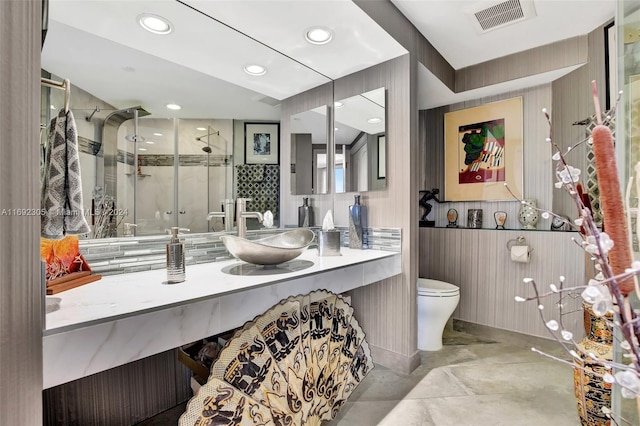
column 174, row 171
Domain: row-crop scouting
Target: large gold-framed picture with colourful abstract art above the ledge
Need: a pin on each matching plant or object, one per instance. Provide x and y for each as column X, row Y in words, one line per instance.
column 484, row 151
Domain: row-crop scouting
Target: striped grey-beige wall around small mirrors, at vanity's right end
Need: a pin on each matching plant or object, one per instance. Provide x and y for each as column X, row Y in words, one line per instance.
column 387, row 310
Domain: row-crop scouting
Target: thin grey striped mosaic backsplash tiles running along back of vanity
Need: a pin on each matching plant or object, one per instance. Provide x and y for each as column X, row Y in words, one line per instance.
column 111, row 256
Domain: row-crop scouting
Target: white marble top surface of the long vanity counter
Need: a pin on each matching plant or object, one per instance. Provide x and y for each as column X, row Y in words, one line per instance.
column 120, row 296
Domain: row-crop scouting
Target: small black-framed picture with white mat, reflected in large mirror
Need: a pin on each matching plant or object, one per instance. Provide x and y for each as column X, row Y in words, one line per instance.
column 261, row 143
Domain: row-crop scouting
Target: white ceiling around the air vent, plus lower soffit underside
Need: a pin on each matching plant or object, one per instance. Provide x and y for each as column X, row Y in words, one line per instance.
column 448, row 26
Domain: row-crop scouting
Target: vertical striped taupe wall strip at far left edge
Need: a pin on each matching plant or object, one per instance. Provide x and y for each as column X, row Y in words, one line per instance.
column 21, row 294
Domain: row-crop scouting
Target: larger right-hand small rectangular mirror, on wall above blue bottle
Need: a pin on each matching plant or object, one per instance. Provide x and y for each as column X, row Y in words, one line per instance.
column 360, row 142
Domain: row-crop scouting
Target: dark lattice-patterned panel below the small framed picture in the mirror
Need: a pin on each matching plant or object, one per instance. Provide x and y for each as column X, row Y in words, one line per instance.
column 261, row 183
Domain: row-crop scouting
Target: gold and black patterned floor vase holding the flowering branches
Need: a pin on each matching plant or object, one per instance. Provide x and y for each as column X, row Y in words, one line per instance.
column 592, row 393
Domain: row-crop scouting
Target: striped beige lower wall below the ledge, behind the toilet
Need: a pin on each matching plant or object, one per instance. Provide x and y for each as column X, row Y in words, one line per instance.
column 477, row 260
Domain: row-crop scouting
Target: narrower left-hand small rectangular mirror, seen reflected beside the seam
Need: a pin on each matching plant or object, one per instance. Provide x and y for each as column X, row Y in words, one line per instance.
column 309, row 152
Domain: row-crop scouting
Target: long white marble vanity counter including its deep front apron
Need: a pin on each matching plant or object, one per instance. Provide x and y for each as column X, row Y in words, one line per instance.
column 126, row 317
